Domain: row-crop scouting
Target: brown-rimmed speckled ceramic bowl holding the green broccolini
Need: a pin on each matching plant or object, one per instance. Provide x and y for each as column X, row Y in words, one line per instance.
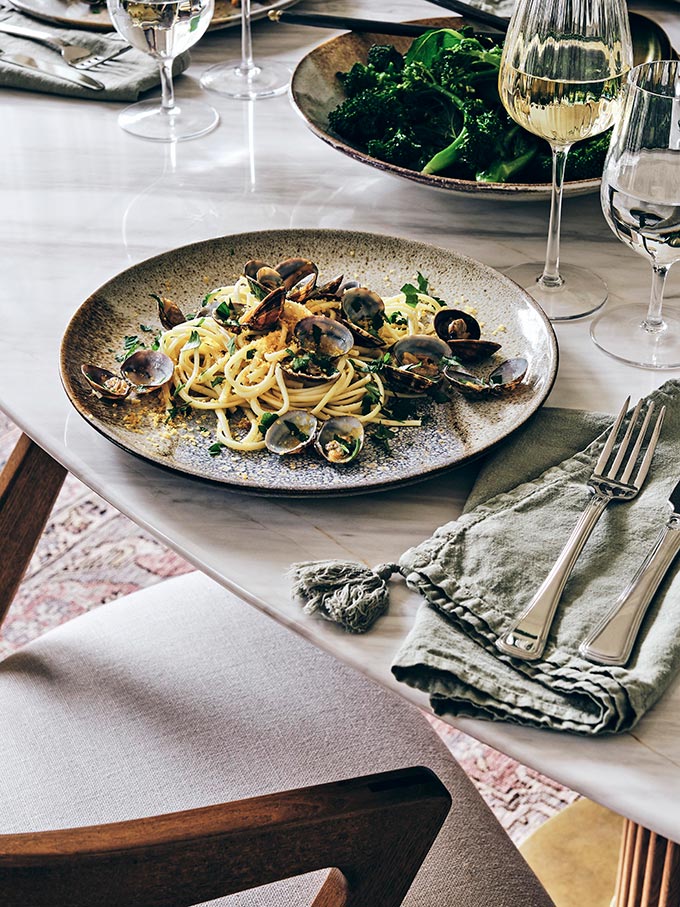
column 316, row 90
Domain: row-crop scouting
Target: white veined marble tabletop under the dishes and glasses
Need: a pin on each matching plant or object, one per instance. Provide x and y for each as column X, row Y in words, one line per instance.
column 81, row 200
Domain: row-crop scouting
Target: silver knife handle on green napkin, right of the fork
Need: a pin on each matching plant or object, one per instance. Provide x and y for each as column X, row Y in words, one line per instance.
column 612, row 640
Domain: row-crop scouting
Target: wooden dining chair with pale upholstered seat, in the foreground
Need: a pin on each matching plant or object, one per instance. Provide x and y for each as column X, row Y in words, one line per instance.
column 124, row 732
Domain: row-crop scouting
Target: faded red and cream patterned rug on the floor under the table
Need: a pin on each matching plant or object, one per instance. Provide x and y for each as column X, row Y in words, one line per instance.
column 90, row 554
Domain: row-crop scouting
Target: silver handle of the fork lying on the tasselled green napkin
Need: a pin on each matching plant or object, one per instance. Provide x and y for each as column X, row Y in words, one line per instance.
column 527, row 636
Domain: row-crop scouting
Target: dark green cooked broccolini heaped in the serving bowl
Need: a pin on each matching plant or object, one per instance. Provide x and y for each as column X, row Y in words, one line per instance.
column 437, row 109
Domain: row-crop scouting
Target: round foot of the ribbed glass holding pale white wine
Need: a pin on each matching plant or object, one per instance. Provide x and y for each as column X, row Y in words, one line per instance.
column 580, row 294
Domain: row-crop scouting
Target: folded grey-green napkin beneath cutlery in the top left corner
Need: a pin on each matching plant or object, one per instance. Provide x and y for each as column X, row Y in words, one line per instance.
column 124, row 78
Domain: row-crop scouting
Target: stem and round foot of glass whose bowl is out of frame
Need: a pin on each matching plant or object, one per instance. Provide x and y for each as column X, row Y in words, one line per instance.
column 243, row 79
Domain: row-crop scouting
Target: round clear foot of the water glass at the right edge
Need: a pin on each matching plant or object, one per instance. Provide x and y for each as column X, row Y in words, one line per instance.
column 620, row 333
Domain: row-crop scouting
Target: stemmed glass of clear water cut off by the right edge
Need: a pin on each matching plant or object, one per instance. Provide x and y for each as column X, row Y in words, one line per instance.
column 641, row 202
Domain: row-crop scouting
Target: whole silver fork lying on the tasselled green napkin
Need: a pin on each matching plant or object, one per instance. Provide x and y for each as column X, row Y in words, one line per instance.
column 527, row 636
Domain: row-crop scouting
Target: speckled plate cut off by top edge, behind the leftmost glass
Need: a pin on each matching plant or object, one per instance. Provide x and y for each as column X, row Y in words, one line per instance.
column 95, row 16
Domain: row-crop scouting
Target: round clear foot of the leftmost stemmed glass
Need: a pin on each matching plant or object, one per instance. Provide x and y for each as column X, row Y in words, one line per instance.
column 188, row 119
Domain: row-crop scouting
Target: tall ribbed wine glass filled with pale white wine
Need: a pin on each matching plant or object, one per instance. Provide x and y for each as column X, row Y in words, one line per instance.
column 560, row 77
